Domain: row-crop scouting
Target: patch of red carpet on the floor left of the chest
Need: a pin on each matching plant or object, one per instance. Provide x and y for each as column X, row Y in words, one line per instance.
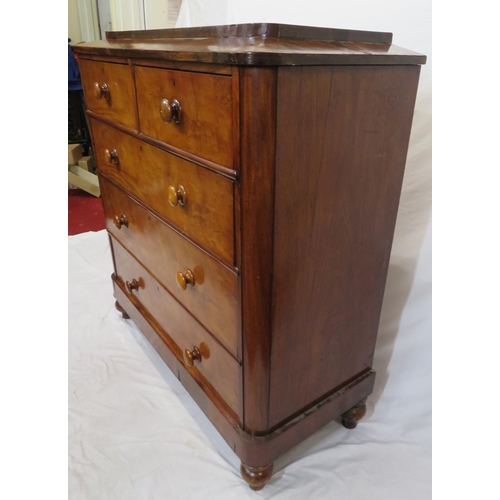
column 85, row 212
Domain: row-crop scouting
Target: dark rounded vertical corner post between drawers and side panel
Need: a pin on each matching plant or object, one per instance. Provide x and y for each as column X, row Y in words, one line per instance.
column 258, row 105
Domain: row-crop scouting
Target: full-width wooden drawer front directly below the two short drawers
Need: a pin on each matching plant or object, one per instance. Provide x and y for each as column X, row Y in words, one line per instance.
column 148, row 172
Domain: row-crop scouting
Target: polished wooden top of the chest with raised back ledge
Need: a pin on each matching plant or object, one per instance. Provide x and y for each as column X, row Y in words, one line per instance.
column 257, row 45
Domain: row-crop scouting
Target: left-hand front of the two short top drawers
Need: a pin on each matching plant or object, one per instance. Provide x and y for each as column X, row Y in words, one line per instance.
column 119, row 106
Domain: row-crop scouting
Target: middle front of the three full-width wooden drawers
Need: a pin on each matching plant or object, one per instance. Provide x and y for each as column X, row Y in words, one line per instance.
column 164, row 253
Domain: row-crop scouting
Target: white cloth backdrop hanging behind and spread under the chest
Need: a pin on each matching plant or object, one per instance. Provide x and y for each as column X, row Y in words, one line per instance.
column 136, row 434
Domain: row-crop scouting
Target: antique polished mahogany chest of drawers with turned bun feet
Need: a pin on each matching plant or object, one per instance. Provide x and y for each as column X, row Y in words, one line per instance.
column 250, row 176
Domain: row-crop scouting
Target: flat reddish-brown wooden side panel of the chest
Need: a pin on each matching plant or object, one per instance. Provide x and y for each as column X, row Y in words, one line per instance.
column 338, row 182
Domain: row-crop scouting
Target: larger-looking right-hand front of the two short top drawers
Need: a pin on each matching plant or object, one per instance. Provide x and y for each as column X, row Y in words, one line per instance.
column 205, row 126
